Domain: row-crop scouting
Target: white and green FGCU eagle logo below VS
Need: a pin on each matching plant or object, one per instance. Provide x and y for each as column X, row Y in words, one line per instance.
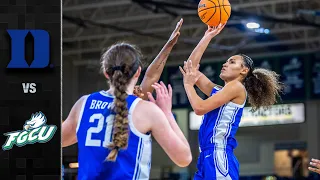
column 34, row 130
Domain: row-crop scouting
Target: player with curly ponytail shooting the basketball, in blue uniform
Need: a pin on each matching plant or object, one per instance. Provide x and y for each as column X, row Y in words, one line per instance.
column 223, row 109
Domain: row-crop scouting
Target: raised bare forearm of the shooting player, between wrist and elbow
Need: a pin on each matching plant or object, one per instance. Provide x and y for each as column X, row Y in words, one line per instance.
column 198, row 51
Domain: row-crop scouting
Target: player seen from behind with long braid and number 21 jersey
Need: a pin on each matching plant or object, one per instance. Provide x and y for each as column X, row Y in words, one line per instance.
column 113, row 128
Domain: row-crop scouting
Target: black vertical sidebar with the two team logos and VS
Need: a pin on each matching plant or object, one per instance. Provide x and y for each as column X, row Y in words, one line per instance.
column 30, row 87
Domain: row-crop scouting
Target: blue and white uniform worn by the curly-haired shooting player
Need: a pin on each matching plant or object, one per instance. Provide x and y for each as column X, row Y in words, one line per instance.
column 217, row 141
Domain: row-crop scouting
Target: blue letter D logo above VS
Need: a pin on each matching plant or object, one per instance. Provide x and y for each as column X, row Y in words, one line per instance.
column 41, row 49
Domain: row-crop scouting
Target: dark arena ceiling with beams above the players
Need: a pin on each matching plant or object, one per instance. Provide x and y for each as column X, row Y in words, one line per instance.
column 91, row 25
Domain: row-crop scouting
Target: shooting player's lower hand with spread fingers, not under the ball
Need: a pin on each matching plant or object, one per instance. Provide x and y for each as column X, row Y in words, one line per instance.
column 190, row 74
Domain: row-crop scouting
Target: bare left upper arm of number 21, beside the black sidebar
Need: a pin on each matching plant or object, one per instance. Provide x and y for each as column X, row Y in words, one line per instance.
column 69, row 126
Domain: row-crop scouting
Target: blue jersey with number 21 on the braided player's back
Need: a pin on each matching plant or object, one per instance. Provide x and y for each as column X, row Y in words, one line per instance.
column 94, row 133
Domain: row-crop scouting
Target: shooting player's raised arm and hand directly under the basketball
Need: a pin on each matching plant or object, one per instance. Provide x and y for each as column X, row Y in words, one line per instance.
column 203, row 83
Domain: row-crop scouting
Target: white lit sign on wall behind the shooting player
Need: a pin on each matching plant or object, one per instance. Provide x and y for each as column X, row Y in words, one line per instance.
column 277, row 114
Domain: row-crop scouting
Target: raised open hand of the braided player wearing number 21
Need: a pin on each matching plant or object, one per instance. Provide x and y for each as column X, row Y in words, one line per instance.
column 163, row 96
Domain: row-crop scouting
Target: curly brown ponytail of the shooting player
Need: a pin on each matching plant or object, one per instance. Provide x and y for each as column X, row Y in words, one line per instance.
column 263, row 86
